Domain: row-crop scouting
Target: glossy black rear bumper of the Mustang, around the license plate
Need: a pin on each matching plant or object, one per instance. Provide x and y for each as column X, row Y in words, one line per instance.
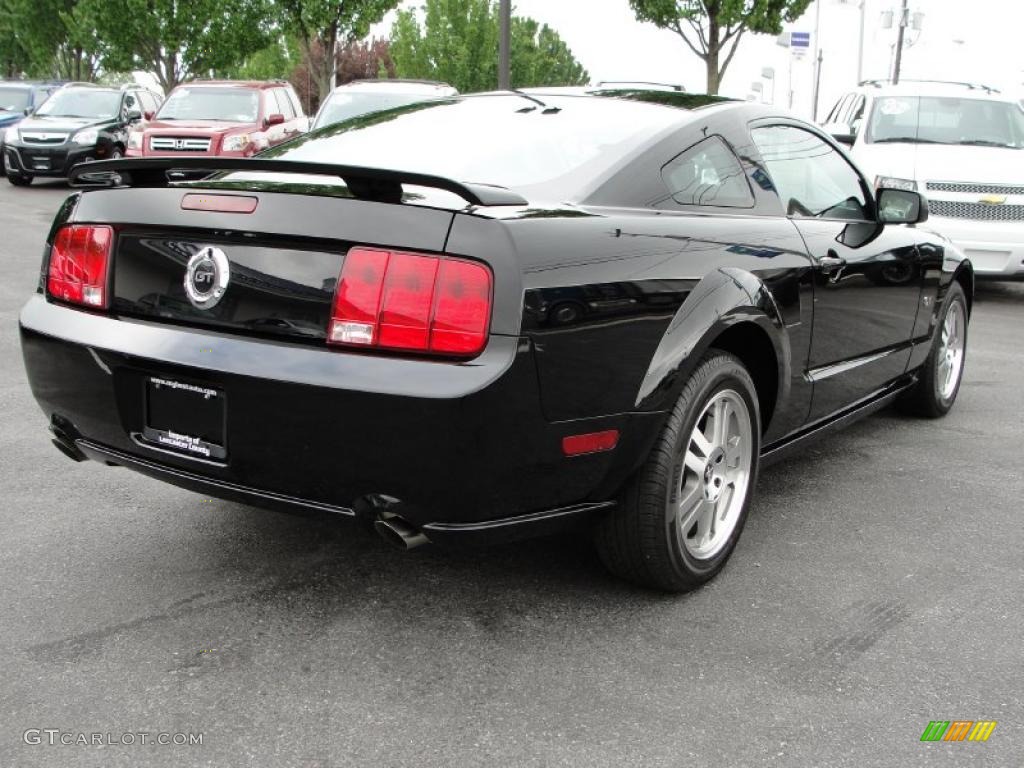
column 463, row 448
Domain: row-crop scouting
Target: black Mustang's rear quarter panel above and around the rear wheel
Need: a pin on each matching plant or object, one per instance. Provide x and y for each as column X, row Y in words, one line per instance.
column 619, row 305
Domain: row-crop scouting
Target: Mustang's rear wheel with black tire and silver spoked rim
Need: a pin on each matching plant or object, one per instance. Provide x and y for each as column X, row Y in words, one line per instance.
column 679, row 519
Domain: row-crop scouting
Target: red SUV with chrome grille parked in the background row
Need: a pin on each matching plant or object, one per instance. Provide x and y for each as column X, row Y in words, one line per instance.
column 223, row 118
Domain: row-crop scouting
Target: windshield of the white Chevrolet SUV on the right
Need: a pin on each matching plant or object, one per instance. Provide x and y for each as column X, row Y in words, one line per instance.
column 947, row 120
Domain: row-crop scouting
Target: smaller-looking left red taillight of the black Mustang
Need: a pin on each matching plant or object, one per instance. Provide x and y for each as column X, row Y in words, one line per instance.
column 79, row 262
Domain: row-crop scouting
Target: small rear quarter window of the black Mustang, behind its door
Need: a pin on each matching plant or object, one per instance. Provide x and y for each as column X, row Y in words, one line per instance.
column 708, row 175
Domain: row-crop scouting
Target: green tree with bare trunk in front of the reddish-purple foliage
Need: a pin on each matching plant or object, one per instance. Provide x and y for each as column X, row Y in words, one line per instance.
column 321, row 26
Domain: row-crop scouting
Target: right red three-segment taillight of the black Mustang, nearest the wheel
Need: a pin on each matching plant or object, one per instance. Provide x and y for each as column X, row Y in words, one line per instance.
column 411, row 302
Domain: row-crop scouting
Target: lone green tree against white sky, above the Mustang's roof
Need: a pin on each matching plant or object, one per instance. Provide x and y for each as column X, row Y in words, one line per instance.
column 713, row 29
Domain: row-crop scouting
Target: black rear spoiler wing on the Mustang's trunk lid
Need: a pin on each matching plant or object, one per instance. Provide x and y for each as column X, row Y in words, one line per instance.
column 373, row 184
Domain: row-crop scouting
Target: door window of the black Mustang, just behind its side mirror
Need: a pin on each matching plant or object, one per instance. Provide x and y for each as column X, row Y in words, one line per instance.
column 813, row 180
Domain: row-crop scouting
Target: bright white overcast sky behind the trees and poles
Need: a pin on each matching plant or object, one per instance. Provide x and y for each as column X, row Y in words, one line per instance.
column 982, row 47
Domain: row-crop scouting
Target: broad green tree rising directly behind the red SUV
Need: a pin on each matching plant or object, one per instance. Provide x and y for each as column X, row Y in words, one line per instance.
column 177, row 40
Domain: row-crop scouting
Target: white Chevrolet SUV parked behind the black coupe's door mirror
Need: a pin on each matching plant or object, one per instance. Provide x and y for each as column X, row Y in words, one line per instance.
column 961, row 145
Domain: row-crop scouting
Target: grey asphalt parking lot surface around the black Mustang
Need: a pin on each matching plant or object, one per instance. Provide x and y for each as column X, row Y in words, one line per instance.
column 877, row 587
